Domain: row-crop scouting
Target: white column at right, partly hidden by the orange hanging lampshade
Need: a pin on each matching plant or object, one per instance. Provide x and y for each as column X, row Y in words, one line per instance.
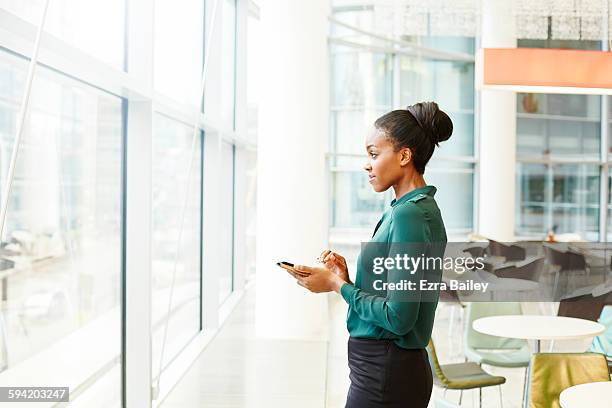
column 497, row 168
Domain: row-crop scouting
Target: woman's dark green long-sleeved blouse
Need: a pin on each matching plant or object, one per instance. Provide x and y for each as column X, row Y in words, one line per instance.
column 411, row 227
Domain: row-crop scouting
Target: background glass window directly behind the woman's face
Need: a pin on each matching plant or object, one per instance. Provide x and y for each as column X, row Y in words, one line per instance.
column 362, row 90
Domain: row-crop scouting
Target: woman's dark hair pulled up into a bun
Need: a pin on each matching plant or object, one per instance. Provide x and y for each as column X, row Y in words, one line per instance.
column 420, row 127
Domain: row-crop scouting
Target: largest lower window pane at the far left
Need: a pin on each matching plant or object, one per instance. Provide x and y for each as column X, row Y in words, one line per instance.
column 60, row 258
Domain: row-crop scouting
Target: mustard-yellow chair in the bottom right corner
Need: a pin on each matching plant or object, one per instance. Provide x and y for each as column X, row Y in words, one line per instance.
column 551, row 373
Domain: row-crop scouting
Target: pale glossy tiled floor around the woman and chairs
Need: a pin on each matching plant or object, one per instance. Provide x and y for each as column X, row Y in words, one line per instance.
column 239, row 370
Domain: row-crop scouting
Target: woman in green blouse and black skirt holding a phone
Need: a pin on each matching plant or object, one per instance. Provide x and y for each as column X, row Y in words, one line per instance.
column 390, row 328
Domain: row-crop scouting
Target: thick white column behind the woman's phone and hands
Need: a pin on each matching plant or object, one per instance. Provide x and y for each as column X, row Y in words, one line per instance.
column 292, row 207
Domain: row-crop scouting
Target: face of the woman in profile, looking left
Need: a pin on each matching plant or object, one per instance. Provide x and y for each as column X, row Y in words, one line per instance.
column 385, row 166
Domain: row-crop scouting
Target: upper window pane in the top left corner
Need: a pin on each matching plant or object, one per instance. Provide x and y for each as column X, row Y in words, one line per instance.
column 95, row 27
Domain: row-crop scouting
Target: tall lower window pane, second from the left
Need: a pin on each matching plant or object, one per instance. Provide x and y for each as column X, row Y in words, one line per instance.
column 175, row 252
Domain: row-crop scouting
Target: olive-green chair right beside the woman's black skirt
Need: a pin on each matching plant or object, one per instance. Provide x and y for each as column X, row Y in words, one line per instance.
column 461, row 376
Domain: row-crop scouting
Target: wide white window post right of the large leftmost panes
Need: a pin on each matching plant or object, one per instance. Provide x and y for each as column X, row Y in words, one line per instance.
column 138, row 387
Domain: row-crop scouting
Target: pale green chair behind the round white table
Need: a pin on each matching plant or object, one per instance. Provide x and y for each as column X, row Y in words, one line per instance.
column 492, row 350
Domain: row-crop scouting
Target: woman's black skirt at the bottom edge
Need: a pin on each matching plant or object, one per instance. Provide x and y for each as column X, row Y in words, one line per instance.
column 386, row 375
